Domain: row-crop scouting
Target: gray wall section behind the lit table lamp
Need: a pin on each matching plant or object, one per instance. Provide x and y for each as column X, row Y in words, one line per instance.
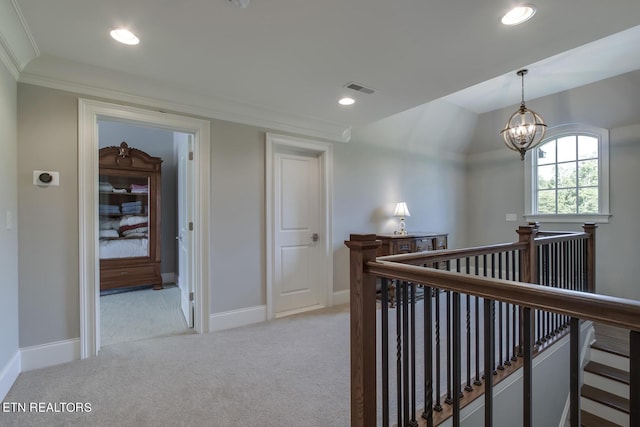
column 368, row 182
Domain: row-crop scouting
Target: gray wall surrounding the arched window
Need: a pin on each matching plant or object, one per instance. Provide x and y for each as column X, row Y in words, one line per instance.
column 495, row 177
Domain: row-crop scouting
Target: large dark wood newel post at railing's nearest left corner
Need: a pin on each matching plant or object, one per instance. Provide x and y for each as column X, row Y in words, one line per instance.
column 363, row 248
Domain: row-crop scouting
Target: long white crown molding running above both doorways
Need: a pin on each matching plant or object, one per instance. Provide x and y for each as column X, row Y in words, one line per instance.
column 194, row 104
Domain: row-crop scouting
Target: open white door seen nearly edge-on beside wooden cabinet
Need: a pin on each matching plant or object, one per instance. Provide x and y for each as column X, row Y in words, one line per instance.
column 184, row 143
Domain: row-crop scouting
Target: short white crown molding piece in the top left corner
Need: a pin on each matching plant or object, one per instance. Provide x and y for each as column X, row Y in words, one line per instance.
column 17, row 46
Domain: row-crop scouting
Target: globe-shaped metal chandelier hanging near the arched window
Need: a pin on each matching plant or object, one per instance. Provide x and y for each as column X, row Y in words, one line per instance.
column 524, row 129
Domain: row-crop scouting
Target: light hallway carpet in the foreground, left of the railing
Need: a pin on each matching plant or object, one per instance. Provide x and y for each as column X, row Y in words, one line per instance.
column 286, row 372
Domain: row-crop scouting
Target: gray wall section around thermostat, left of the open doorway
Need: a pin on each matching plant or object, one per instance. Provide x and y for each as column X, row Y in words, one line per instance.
column 48, row 234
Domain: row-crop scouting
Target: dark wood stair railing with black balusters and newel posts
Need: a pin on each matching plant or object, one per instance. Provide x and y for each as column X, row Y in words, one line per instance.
column 556, row 277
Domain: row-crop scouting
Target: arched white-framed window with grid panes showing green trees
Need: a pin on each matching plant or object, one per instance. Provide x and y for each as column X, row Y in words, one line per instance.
column 567, row 176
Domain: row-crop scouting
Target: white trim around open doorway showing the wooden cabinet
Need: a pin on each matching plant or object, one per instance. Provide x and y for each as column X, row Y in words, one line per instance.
column 89, row 111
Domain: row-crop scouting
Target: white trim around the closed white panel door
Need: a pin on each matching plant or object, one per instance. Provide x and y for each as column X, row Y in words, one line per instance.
column 324, row 151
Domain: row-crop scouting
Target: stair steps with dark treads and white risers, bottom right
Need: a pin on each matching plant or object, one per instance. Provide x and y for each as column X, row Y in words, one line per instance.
column 605, row 393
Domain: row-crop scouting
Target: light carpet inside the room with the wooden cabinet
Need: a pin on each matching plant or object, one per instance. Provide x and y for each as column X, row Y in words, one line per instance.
column 141, row 314
